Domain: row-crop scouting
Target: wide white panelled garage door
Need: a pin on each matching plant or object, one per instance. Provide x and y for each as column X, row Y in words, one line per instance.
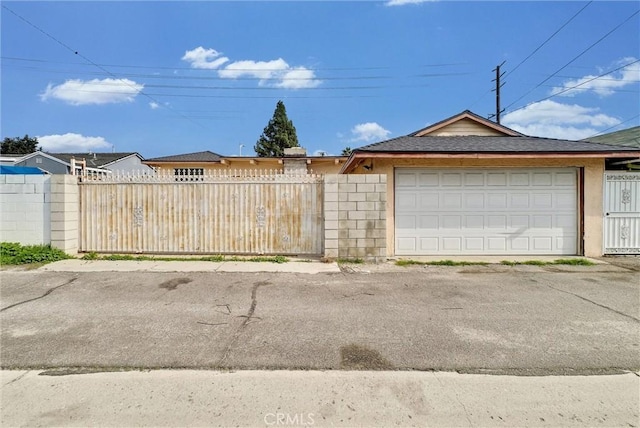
column 486, row 211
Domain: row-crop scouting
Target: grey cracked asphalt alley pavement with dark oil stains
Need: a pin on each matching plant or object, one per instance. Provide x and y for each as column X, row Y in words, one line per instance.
column 527, row 320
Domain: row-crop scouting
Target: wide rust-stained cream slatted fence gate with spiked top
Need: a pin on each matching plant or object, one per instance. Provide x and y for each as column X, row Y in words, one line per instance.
column 237, row 212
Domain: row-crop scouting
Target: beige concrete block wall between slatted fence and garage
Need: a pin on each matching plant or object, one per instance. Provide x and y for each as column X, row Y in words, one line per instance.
column 355, row 216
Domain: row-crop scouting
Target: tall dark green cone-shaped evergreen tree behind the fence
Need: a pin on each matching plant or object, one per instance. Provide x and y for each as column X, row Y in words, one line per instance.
column 278, row 135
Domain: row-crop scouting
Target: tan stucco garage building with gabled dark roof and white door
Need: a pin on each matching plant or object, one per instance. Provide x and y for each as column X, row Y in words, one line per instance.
column 469, row 186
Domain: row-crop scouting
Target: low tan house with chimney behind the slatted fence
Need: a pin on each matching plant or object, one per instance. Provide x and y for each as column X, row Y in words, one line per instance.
column 189, row 166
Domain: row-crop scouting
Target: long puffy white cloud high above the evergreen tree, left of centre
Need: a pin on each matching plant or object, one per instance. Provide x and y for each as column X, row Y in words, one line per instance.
column 276, row 73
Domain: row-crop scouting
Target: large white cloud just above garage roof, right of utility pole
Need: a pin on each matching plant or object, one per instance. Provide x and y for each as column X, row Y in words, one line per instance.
column 556, row 120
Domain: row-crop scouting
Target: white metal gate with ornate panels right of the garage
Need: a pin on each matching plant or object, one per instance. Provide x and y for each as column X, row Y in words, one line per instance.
column 621, row 212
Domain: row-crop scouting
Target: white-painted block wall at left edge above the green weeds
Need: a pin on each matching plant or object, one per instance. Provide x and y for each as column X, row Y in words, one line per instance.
column 25, row 209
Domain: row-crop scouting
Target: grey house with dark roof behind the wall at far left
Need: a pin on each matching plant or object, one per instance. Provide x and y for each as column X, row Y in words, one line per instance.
column 96, row 163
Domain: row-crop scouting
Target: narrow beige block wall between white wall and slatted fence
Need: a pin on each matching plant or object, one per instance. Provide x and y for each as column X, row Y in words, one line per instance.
column 65, row 207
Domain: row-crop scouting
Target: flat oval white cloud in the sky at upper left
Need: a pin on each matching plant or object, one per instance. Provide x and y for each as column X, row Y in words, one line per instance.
column 106, row 91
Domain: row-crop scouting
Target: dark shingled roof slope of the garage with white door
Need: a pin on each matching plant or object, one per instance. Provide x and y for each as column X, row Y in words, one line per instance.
column 482, row 144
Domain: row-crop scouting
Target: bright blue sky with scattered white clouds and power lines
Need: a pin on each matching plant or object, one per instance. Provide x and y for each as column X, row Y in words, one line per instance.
column 162, row 78
